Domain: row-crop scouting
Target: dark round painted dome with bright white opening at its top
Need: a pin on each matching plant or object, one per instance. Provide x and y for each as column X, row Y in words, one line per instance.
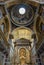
column 22, row 14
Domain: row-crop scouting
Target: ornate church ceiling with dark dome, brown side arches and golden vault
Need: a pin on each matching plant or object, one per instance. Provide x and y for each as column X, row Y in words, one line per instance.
column 12, row 21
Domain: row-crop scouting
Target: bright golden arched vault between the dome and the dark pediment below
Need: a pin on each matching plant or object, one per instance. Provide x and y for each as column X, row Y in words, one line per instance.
column 22, row 32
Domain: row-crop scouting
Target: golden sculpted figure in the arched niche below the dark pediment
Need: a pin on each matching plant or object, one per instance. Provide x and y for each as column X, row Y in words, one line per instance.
column 22, row 55
